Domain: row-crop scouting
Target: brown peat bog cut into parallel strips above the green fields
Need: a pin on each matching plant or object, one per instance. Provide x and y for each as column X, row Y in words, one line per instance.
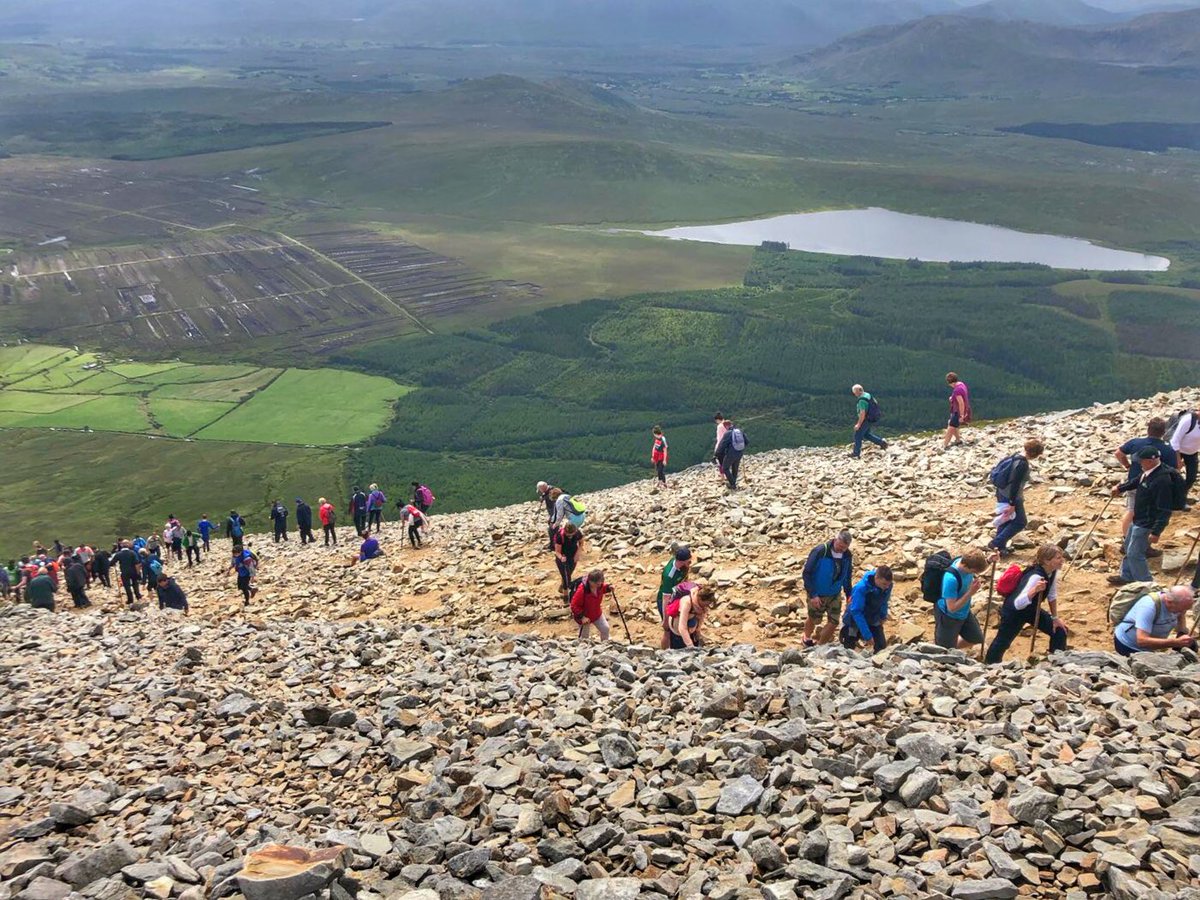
column 315, row 293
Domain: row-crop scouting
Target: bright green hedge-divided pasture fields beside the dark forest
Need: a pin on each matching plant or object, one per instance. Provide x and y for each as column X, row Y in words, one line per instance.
column 58, row 388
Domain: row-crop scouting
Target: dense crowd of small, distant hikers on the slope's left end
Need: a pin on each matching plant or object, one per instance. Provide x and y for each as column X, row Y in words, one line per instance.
column 140, row 562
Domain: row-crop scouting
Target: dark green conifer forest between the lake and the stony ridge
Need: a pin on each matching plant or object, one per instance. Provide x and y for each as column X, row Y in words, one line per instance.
column 573, row 392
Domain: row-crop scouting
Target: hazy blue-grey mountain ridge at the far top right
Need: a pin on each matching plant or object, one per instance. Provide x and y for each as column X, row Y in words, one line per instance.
column 965, row 52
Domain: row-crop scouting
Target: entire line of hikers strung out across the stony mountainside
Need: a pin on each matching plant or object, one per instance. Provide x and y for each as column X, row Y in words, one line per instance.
column 1145, row 616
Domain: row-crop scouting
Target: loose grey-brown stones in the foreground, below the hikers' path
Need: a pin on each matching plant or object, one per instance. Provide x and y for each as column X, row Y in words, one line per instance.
column 148, row 758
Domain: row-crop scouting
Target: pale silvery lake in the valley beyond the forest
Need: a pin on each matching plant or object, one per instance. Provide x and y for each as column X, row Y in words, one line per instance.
column 899, row 236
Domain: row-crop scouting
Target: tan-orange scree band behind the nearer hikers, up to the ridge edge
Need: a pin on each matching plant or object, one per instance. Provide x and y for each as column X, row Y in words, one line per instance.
column 488, row 568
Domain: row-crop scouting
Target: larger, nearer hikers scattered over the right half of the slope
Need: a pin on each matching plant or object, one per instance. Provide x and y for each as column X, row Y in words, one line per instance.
column 1145, row 616
